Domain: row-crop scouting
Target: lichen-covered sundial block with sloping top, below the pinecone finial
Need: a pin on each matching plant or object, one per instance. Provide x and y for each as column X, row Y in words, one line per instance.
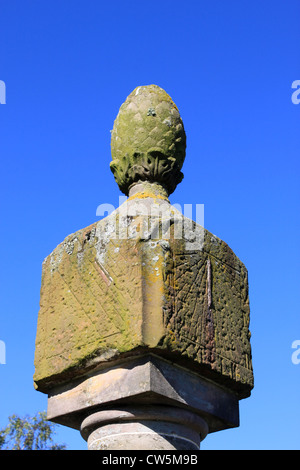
column 132, row 283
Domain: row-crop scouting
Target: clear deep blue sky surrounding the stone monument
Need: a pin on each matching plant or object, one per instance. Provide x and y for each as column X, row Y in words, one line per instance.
column 229, row 66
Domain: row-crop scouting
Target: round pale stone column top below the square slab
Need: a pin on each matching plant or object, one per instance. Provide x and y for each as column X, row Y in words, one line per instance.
column 144, row 428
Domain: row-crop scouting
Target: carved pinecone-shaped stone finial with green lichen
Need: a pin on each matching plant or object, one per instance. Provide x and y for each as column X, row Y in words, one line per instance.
column 148, row 140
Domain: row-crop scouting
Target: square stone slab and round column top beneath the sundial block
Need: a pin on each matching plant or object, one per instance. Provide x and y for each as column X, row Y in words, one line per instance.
column 144, row 403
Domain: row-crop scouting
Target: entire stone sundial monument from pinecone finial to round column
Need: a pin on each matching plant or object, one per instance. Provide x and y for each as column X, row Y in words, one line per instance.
column 143, row 335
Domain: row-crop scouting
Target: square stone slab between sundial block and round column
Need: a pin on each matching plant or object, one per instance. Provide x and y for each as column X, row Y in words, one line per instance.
column 147, row 380
